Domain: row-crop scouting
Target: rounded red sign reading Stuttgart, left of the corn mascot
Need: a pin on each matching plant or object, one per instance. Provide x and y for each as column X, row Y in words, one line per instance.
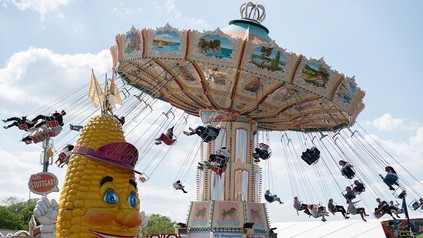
column 43, row 183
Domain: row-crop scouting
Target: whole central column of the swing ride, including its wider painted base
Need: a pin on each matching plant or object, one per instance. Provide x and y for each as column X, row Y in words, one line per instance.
column 228, row 202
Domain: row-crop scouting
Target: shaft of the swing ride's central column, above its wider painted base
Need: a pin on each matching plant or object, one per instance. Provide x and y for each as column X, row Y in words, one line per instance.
column 237, row 182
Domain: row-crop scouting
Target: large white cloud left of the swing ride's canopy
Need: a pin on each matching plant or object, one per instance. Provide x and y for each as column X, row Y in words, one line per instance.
column 36, row 76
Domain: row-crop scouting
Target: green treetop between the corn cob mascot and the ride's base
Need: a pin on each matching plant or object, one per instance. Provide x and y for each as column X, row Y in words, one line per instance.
column 158, row 224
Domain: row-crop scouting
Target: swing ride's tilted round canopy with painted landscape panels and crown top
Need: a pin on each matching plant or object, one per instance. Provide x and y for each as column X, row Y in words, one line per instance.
column 239, row 70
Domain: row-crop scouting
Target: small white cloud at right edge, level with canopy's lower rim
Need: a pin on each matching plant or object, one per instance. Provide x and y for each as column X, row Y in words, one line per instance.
column 388, row 123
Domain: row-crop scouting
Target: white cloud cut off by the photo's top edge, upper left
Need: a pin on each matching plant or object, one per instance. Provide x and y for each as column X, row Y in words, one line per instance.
column 43, row 7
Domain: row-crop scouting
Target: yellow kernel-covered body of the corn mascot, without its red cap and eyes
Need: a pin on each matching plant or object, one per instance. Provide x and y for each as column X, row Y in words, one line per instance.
column 82, row 208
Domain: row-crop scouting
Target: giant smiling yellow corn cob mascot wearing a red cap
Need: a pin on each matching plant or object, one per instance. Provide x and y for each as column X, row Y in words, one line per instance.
column 99, row 196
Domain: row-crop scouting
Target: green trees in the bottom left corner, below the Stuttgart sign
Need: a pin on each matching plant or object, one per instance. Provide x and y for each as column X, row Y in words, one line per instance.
column 15, row 214
